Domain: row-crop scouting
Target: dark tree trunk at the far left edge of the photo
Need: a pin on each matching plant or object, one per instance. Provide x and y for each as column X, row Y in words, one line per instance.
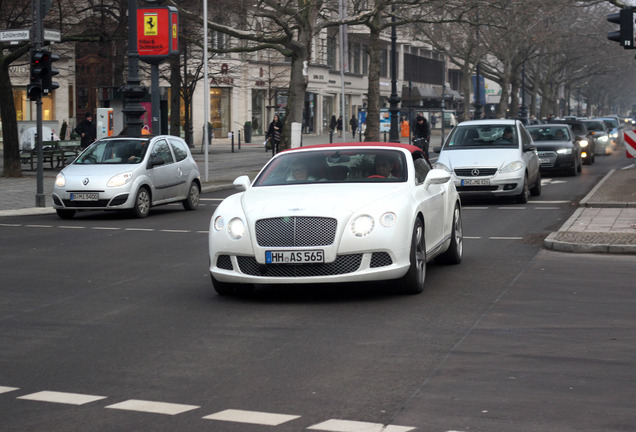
column 11, row 146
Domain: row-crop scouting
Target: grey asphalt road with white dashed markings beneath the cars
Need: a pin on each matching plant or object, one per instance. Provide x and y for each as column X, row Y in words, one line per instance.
column 111, row 324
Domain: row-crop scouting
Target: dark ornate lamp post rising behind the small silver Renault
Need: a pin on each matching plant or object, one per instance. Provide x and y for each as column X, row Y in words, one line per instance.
column 133, row 91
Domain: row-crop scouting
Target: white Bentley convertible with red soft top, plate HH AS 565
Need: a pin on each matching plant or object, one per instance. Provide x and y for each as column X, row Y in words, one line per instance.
column 333, row 213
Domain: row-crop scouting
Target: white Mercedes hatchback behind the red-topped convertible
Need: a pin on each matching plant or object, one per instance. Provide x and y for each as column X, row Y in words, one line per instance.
column 491, row 158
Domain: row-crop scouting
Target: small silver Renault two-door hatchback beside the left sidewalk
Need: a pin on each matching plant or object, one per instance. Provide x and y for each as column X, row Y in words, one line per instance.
column 126, row 173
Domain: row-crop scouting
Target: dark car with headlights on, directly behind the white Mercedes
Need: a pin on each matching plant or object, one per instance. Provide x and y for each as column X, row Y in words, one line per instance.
column 557, row 147
